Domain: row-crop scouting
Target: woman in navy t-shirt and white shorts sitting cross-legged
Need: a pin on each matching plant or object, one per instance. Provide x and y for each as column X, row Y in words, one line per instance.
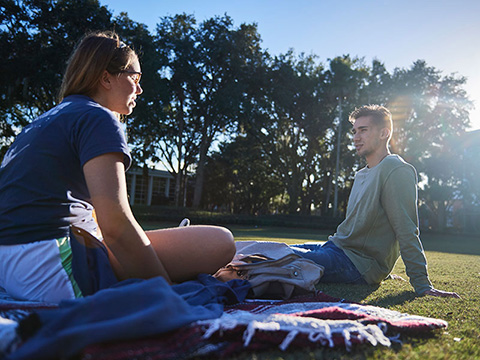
column 73, row 159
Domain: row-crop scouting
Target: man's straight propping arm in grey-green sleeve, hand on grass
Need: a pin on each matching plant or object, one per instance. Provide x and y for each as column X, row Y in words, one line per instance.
column 399, row 199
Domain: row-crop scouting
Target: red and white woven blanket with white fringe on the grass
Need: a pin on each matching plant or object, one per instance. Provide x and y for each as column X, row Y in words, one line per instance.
column 313, row 321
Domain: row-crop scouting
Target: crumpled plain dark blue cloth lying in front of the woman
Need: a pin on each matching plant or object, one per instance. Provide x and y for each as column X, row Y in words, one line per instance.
column 129, row 310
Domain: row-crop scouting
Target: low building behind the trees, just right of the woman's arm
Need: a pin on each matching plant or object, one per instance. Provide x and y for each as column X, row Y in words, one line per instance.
column 157, row 189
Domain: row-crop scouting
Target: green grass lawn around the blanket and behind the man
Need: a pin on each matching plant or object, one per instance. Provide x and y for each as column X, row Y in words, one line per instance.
column 453, row 264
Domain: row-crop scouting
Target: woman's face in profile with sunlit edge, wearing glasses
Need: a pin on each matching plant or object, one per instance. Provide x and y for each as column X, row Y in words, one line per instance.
column 125, row 89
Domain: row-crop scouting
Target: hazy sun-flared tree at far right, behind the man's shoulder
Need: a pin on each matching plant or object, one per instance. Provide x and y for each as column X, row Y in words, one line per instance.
column 428, row 109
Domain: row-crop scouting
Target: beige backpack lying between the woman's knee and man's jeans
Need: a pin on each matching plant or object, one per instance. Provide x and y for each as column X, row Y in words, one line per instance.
column 273, row 269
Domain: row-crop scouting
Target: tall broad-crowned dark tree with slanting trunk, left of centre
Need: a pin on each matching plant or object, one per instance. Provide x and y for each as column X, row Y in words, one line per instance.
column 208, row 73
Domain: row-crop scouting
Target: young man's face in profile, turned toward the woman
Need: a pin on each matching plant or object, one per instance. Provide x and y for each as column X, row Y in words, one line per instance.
column 367, row 137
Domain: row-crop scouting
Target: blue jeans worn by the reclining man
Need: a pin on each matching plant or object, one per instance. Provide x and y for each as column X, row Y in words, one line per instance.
column 338, row 267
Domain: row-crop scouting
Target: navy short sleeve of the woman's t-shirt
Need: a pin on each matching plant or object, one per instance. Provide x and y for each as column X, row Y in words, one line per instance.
column 98, row 132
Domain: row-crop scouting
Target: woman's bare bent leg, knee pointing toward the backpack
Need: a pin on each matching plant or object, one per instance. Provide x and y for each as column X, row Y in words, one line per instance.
column 188, row 251
